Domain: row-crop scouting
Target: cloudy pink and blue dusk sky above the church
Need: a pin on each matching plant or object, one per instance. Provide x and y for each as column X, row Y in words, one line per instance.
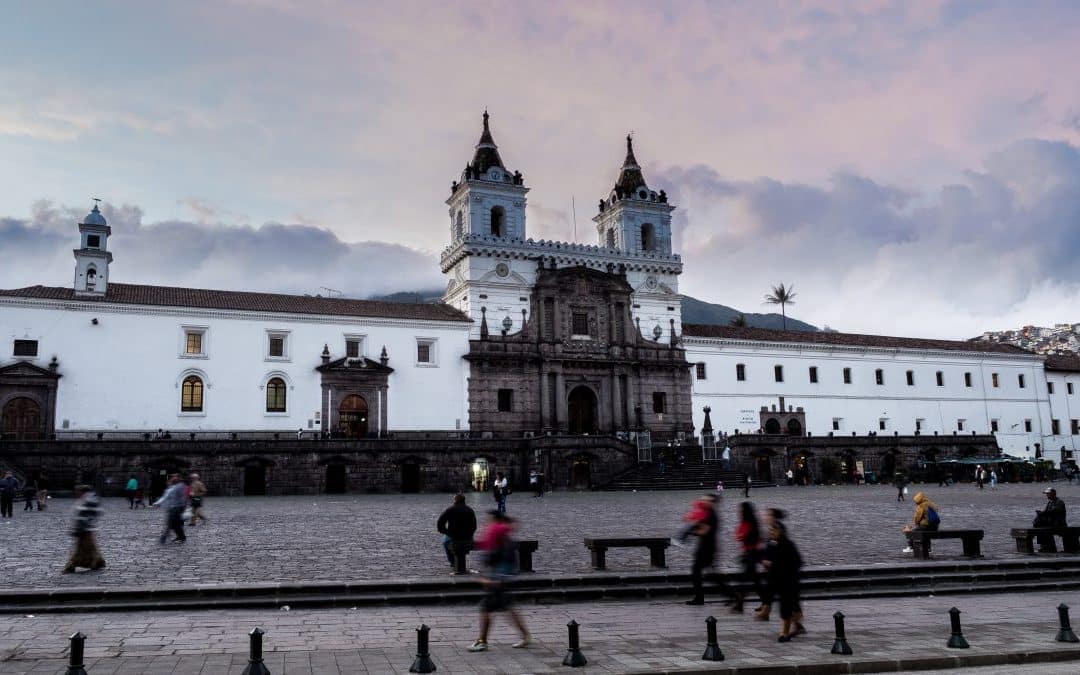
column 912, row 168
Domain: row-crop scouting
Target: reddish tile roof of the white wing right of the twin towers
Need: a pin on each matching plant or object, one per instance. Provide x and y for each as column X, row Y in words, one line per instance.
column 845, row 340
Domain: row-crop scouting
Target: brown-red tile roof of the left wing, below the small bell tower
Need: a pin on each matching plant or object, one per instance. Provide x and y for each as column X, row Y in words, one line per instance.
column 240, row 301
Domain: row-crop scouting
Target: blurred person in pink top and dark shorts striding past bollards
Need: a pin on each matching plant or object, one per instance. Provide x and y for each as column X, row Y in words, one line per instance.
column 501, row 557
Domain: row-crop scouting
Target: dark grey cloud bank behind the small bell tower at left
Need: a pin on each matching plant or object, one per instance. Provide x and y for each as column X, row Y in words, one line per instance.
column 274, row 258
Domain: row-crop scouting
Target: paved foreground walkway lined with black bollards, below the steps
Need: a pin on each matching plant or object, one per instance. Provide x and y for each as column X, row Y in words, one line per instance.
column 616, row 637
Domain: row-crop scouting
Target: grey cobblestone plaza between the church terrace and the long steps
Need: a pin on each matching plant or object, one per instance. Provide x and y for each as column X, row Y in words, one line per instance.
column 393, row 536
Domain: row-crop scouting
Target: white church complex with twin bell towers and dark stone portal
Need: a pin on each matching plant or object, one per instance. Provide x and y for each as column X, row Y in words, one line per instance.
column 534, row 340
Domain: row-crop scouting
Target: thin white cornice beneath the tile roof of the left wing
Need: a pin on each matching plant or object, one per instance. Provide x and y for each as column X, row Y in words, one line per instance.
column 150, row 310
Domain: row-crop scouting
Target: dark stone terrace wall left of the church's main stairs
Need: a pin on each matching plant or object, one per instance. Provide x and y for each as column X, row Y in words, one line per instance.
column 317, row 467
